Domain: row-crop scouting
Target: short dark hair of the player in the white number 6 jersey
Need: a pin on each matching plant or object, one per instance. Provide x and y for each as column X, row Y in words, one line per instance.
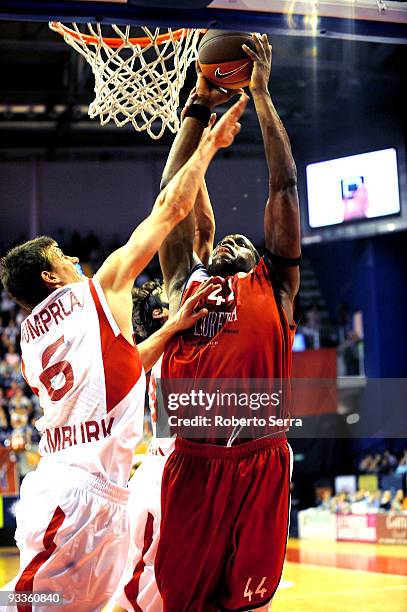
column 21, row 271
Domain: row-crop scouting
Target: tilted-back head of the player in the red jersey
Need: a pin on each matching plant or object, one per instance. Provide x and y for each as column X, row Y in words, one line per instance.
column 234, row 253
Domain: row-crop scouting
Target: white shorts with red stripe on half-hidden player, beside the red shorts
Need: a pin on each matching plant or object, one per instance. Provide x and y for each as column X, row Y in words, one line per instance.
column 138, row 587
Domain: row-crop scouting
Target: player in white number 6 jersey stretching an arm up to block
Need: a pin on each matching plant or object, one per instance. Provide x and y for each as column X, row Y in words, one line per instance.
column 79, row 355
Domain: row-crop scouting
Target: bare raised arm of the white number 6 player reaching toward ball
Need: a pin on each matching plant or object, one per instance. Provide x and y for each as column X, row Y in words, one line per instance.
column 173, row 205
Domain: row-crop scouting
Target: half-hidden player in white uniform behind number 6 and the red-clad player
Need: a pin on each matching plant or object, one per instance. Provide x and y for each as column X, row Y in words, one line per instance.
column 138, row 588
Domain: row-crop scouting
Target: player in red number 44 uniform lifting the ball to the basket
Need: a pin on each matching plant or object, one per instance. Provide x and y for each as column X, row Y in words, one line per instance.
column 225, row 509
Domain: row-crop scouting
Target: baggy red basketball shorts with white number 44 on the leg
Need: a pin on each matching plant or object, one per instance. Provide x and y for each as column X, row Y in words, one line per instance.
column 224, row 525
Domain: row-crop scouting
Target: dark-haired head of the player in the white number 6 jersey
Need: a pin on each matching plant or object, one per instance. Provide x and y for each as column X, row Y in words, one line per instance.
column 34, row 269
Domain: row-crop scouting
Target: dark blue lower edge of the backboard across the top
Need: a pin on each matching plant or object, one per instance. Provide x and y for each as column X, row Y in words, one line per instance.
column 374, row 20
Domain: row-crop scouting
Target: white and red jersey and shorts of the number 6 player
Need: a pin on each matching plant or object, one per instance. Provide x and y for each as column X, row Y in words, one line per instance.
column 72, row 518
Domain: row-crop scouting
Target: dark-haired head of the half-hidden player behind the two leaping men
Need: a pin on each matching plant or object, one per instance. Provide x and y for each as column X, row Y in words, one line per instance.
column 150, row 308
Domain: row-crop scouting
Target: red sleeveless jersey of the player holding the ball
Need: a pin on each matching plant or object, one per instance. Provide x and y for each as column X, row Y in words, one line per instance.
column 245, row 335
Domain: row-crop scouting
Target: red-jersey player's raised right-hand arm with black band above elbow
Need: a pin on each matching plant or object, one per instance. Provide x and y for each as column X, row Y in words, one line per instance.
column 282, row 216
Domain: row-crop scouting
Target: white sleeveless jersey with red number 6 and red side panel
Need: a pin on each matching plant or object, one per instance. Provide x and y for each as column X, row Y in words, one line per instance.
column 89, row 379
